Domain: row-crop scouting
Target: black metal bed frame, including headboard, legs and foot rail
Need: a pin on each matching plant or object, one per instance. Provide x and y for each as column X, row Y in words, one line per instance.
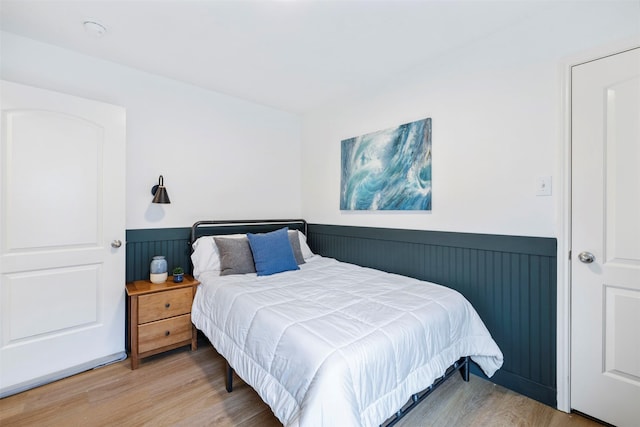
column 237, row 226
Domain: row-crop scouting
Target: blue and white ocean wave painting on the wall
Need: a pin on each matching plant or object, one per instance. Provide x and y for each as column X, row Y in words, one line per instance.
column 388, row 170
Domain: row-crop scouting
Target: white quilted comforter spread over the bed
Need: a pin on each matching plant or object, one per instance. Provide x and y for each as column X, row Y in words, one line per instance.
column 334, row 344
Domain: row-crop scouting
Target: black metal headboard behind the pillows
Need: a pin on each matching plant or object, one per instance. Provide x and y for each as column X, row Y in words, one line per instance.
column 217, row 227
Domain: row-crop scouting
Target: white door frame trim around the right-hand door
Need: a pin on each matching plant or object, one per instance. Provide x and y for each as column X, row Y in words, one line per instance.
column 563, row 333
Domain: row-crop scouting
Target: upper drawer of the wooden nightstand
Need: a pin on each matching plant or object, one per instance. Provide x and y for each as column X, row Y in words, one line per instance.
column 162, row 305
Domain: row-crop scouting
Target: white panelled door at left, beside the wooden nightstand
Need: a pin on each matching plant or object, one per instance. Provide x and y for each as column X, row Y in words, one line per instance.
column 62, row 192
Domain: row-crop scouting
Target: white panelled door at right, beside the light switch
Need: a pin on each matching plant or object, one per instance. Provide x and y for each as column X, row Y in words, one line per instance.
column 605, row 265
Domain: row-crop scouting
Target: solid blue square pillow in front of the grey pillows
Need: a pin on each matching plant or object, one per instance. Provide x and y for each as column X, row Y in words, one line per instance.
column 272, row 252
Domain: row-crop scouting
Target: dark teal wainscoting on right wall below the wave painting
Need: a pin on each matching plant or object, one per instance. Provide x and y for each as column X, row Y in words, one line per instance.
column 510, row 280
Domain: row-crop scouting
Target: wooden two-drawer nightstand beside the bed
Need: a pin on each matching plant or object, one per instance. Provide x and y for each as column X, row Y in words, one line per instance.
column 160, row 317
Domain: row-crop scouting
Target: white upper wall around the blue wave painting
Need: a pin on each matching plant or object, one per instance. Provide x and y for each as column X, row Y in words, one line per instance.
column 497, row 126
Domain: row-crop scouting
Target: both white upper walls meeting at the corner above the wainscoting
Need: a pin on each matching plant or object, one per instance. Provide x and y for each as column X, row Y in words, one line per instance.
column 497, row 126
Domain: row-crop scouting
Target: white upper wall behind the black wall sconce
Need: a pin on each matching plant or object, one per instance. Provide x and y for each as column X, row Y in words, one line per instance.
column 221, row 157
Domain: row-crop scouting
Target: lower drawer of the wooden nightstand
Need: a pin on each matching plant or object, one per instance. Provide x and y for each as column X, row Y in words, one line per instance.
column 164, row 332
